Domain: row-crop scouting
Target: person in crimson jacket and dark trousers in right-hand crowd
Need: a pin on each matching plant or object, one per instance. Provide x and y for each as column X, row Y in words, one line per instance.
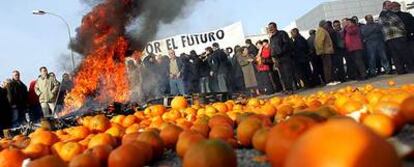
column 354, row 47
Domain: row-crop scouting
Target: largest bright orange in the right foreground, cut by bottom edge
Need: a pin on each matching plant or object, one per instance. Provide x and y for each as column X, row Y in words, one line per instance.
column 341, row 142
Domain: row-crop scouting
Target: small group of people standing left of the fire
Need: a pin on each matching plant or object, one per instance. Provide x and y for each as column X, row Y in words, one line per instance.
column 20, row 104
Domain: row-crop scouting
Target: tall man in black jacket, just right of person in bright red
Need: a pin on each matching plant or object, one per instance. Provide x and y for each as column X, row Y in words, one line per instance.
column 282, row 50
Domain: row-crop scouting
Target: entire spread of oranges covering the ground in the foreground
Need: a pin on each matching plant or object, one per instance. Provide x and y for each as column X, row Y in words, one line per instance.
column 348, row 127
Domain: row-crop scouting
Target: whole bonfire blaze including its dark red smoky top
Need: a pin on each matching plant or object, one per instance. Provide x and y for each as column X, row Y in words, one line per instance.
column 101, row 77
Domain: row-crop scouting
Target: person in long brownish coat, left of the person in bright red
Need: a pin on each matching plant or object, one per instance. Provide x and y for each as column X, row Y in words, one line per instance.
column 246, row 62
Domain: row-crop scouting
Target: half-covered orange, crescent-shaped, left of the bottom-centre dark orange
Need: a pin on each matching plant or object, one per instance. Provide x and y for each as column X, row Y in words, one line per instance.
column 156, row 142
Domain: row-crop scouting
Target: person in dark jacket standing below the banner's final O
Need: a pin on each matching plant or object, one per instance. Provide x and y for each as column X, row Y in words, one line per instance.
column 220, row 66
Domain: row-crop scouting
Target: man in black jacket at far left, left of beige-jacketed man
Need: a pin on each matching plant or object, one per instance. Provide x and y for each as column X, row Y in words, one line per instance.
column 17, row 96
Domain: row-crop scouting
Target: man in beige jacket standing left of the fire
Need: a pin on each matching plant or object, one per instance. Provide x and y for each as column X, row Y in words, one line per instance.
column 46, row 88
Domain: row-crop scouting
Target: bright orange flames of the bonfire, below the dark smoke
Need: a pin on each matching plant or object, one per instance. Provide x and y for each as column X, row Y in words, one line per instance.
column 100, row 73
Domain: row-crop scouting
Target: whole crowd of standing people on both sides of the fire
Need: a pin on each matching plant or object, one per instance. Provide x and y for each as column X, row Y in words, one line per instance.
column 337, row 51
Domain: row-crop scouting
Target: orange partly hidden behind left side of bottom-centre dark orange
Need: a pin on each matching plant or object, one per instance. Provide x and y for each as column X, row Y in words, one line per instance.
column 186, row 140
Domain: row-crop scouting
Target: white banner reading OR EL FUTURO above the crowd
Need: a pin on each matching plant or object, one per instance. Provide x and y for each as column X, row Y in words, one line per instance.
column 229, row 36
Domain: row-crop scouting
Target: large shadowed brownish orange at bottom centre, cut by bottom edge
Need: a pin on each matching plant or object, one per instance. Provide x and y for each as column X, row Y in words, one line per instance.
column 209, row 153
